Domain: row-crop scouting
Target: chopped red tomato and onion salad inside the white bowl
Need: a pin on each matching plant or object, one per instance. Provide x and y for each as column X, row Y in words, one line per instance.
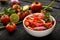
column 37, row 22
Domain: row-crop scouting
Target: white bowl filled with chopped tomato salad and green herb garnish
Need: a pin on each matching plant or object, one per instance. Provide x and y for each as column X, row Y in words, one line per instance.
column 39, row 24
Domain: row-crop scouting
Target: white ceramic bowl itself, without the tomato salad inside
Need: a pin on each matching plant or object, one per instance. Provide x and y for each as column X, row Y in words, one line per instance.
column 39, row 33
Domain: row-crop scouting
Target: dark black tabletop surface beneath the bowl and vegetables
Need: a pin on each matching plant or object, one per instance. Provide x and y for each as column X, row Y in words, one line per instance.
column 21, row 34
